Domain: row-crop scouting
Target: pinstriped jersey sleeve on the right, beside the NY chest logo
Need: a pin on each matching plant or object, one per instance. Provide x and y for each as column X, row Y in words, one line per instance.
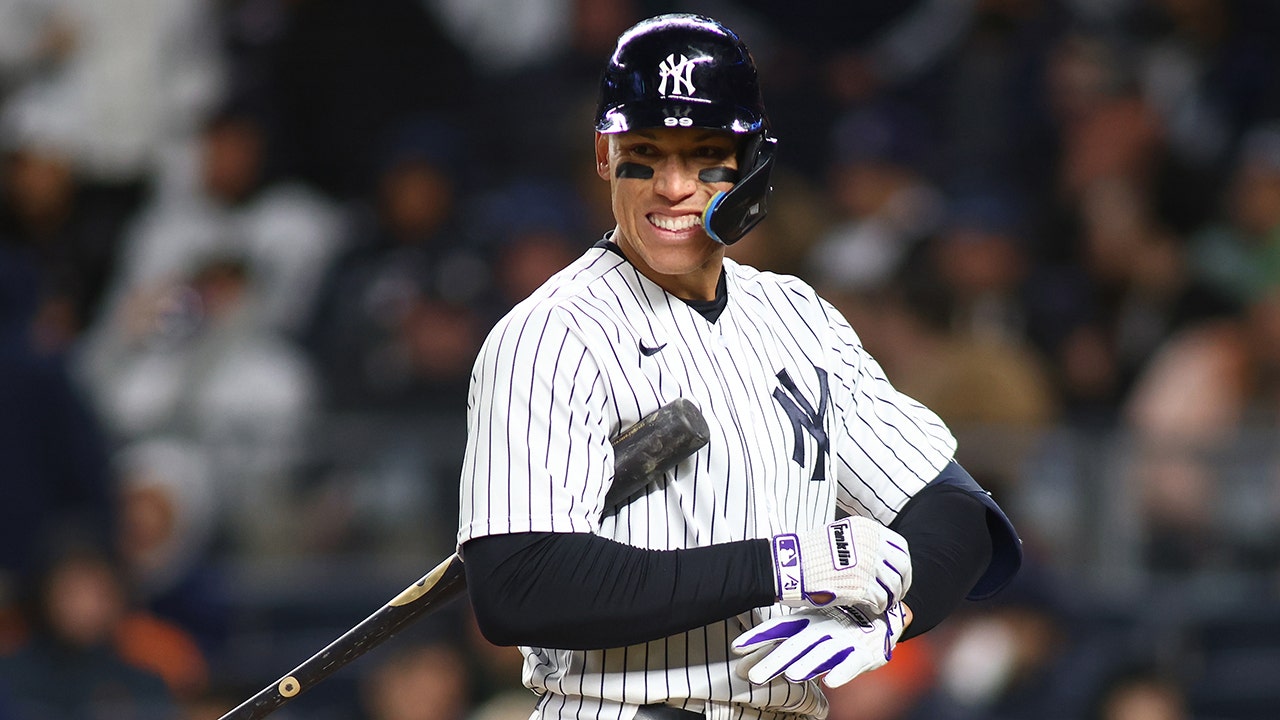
column 886, row 445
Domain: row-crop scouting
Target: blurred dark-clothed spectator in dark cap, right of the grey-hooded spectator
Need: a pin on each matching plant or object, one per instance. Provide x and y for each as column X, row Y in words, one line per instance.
column 395, row 327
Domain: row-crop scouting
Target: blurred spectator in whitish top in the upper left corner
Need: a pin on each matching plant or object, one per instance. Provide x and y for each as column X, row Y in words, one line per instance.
column 111, row 89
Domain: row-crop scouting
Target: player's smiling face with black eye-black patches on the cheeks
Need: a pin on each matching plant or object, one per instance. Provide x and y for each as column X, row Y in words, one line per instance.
column 660, row 192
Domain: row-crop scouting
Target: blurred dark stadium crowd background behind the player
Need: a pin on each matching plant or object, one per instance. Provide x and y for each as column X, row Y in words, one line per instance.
column 249, row 250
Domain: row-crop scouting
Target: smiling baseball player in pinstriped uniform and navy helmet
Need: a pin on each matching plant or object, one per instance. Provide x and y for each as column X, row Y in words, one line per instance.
column 826, row 520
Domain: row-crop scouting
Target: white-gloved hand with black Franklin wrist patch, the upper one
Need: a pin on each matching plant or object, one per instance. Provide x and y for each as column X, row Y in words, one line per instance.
column 854, row 562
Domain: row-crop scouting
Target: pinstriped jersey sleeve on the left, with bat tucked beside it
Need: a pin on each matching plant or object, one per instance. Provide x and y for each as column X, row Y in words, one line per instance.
column 538, row 457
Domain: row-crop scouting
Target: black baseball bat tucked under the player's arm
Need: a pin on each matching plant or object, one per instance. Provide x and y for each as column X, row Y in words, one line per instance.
column 642, row 453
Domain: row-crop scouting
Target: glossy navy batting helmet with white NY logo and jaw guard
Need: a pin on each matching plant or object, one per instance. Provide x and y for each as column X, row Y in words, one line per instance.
column 691, row 71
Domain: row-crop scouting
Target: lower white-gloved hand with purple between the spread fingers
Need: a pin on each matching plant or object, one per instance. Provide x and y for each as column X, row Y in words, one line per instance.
column 836, row 644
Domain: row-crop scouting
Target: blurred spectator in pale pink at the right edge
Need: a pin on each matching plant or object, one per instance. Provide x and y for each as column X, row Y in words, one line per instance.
column 1200, row 413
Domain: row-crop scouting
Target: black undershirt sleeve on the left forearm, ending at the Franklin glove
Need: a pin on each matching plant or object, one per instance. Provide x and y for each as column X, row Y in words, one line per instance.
column 577, row 591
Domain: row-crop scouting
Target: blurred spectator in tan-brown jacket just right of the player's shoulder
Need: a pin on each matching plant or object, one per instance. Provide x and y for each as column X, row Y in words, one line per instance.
column 967, row 302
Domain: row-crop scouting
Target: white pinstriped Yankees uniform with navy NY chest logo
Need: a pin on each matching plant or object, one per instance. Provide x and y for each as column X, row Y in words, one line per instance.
column 565, row 372
